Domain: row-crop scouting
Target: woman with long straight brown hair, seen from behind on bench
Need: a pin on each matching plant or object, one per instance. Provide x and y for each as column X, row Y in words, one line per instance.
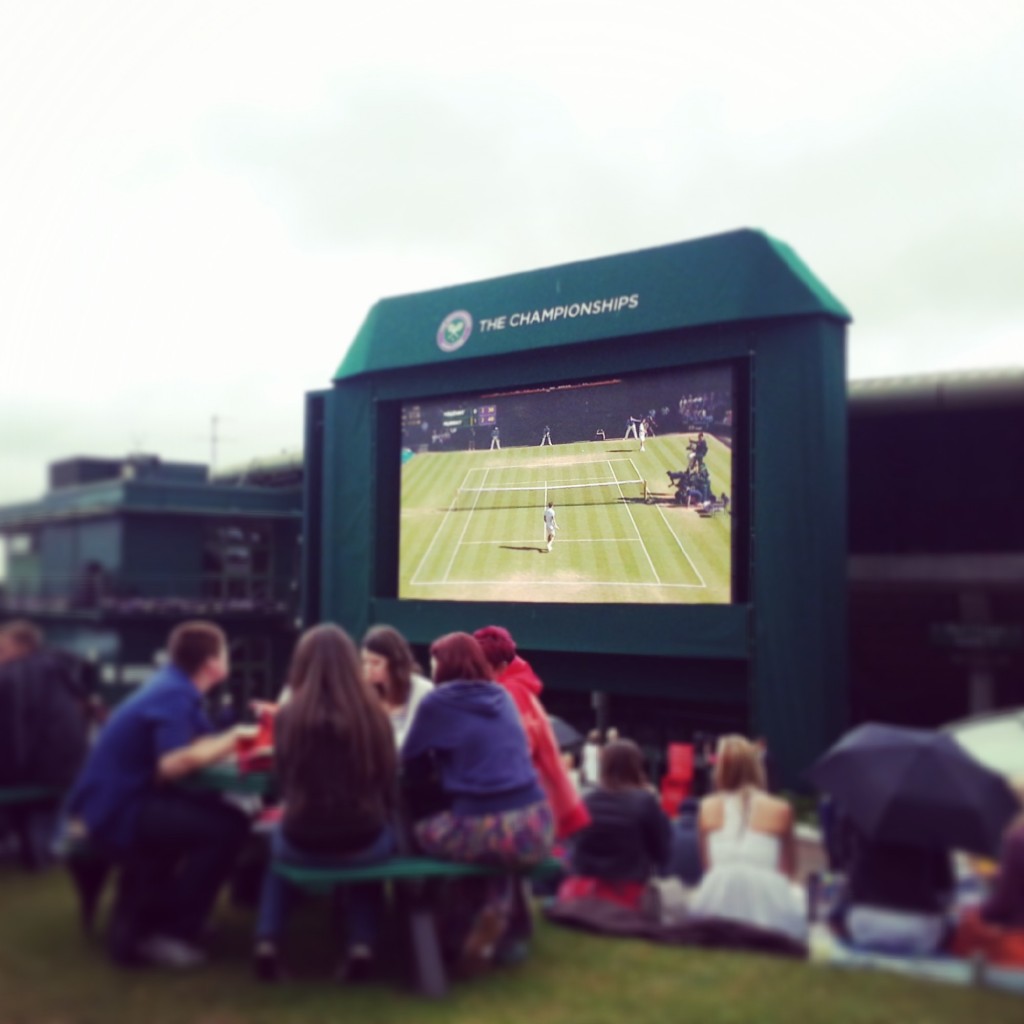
column 336, row 763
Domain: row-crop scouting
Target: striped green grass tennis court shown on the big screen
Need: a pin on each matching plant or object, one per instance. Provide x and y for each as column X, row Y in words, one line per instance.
column 473, row 526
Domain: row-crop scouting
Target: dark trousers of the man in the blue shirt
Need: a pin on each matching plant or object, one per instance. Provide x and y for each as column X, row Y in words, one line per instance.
column 186, row 846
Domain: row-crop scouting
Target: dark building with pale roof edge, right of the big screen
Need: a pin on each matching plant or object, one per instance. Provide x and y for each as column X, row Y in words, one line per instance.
column 936, row 565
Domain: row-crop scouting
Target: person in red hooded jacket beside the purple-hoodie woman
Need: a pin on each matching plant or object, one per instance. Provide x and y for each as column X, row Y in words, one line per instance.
column 519, row 678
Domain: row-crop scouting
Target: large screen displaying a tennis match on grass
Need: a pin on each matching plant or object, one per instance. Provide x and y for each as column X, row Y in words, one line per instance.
column 611, row 491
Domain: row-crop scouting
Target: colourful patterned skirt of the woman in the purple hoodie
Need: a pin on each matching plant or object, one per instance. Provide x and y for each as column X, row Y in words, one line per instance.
column 514, row 839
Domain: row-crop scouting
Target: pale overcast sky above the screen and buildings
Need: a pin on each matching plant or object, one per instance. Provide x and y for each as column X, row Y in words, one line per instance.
column 200, row 201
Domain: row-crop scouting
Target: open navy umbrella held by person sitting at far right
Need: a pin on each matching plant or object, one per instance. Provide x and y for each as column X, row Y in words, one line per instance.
column 918, row 788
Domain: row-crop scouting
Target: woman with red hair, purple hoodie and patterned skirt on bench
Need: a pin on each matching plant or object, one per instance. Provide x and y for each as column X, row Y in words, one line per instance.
column 499, row 814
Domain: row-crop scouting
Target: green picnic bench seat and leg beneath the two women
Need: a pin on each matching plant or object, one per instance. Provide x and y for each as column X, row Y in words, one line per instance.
column 418, row 910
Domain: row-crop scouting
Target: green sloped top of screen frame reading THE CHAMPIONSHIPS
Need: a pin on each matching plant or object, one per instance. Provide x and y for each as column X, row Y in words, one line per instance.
column 738, row 277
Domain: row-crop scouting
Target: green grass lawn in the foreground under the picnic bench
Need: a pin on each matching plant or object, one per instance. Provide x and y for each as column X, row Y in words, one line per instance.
column 51, row 974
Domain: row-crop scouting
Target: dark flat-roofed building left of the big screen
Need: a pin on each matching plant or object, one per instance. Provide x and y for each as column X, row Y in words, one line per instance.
column 120, row 550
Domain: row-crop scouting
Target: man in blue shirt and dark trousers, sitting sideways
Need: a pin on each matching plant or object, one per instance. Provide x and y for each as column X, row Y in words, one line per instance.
column 178, row 846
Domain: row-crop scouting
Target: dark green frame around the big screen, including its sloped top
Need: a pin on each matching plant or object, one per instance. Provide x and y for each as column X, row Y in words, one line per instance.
column 775, row 660
